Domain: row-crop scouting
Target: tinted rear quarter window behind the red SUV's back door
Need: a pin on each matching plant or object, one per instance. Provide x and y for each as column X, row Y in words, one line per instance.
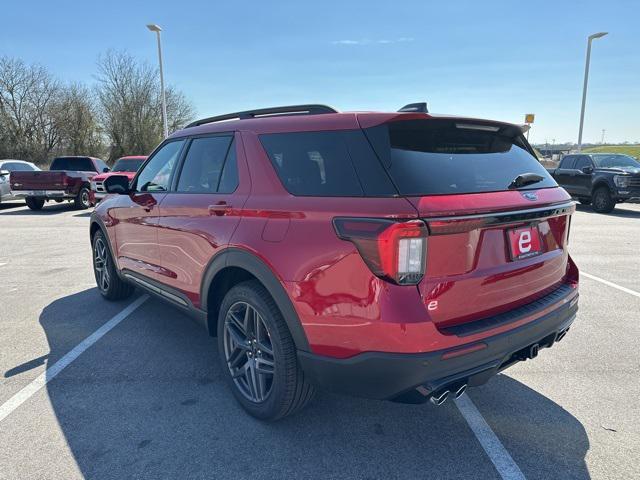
column 327, row 164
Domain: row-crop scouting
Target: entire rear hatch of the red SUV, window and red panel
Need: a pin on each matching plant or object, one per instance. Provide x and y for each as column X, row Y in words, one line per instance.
column 498, row 223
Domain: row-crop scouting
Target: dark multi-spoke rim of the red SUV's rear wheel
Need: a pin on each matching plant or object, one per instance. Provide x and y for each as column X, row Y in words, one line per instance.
column 248, row 352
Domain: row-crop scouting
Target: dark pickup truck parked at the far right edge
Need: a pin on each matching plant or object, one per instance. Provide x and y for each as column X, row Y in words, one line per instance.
column 600, row 179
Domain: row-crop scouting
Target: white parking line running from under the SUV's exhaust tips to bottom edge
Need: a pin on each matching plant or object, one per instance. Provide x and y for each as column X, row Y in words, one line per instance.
column 496, row 452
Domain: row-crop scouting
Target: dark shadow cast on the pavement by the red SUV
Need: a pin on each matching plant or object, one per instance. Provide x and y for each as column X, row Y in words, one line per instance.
column 148, row 401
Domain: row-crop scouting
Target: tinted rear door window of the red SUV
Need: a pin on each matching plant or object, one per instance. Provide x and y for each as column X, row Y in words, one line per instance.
column 203, row 165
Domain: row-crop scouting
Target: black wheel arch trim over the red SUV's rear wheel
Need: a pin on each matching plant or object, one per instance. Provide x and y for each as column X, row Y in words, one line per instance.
column 234, row 265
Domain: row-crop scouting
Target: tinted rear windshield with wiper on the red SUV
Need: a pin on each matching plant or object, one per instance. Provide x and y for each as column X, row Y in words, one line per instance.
column 430, row 157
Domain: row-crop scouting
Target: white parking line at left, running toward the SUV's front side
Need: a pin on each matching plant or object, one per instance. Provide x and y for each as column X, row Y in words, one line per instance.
column 53, row 370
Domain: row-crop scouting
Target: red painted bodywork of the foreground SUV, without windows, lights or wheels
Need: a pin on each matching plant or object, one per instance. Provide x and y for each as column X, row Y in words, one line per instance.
column 344, row 309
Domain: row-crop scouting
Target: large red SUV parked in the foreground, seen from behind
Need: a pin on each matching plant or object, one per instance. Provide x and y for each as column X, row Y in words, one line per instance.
column 400, row 256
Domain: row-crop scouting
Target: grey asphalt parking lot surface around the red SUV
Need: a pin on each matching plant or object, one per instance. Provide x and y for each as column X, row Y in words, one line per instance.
column 147, row 400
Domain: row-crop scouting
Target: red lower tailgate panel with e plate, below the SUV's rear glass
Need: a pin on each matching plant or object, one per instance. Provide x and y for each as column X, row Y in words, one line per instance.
column 484, row 264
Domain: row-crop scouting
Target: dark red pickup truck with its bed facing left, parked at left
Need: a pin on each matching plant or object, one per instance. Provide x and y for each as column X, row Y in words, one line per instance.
column 68, row 178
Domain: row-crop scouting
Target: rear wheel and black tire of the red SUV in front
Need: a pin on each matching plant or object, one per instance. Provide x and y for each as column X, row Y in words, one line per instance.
column 274, row 395
